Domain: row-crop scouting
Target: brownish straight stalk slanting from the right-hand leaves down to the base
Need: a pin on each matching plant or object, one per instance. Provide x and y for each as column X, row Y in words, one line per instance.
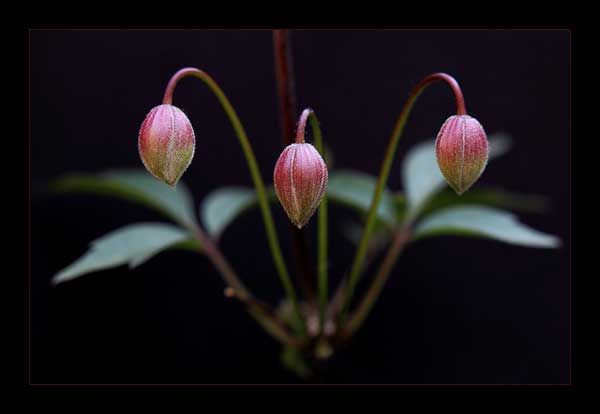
column 401, row 237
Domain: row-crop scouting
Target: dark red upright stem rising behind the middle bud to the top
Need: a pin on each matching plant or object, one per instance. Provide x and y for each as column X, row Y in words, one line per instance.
column 287, row 108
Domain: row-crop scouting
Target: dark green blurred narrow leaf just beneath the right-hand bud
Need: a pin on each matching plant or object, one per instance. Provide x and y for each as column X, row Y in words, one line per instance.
column 486, row 196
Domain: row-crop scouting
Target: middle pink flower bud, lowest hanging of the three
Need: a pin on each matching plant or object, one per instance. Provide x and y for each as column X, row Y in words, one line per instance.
column 300, row 179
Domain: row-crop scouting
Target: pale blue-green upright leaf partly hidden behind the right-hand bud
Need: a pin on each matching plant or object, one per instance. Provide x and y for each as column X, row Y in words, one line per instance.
column 422, row 177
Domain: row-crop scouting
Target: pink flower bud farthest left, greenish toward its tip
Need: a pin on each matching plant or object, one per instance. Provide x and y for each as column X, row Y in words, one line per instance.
column 166, row 143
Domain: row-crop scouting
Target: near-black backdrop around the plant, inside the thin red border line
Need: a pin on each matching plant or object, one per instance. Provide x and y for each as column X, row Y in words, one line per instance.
column 456, row 310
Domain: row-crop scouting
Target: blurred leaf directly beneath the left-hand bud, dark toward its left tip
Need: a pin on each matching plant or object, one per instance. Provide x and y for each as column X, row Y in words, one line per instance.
column 134, row 185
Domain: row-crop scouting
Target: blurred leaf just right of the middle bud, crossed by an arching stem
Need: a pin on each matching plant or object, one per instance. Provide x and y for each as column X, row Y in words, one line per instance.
column 355, row 189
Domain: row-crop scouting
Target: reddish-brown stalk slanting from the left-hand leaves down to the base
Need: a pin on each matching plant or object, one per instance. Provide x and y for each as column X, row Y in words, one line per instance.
column 259, row 311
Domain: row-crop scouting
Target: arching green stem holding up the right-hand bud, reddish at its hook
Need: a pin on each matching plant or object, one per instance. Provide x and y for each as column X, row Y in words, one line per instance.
column 384, row 173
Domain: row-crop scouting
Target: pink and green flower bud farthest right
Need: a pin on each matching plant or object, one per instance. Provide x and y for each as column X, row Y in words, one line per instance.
column 461, row 148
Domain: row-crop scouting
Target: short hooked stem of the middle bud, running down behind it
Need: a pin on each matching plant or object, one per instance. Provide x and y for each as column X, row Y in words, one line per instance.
column 309, row 114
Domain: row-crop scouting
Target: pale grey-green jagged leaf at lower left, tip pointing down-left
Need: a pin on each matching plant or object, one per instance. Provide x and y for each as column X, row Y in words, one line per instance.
column 133, row 244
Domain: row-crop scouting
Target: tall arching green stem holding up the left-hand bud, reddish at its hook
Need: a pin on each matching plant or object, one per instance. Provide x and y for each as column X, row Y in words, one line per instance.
column 256, row 178
